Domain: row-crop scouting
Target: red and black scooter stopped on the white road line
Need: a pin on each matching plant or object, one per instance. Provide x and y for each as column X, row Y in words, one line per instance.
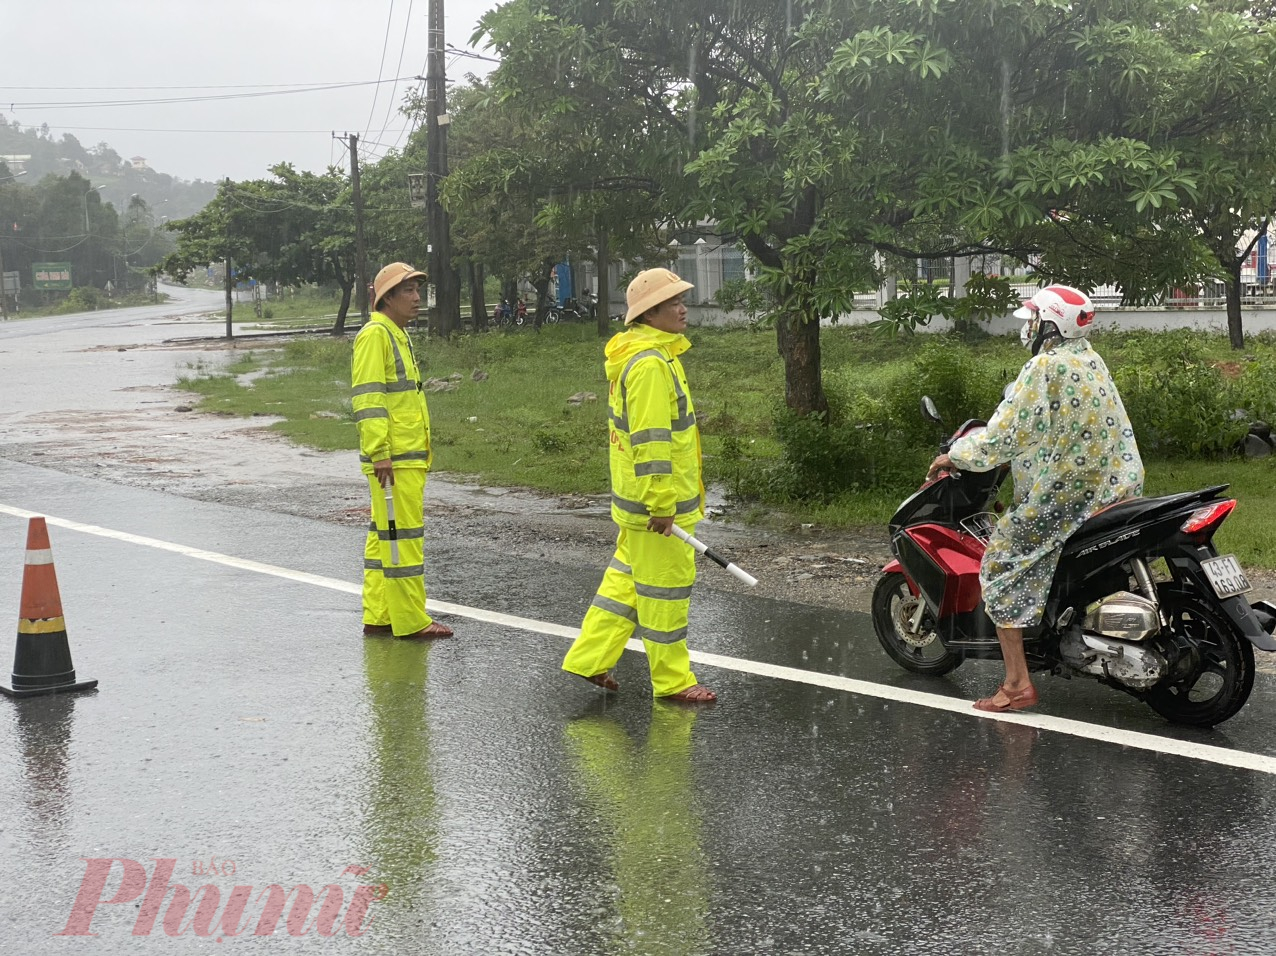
column 1141, row 599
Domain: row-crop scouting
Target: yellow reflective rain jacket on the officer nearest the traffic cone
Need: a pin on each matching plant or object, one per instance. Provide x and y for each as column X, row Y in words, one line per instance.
column 390, row 407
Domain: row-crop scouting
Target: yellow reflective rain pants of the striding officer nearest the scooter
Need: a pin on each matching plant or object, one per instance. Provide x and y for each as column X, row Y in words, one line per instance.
column 646, row 592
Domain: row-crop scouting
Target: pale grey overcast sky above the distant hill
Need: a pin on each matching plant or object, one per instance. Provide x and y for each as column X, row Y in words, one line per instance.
column 64, row 52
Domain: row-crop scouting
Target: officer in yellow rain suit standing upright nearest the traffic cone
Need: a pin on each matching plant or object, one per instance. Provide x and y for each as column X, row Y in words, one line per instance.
column 395, row 454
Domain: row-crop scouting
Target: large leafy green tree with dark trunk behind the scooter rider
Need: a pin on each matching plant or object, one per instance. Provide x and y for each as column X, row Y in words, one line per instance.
column 822, row 135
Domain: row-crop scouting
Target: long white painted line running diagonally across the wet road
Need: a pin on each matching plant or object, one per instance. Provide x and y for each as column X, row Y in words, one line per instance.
column 1223, row 756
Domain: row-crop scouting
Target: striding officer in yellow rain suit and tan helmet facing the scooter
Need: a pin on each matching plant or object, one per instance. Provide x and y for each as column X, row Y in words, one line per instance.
column 655, row 483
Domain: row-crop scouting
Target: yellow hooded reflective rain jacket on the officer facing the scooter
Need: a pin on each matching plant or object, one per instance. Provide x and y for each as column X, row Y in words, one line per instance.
column 655, row 442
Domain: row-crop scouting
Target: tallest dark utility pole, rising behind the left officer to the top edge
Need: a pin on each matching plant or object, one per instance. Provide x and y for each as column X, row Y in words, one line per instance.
column 447, row 292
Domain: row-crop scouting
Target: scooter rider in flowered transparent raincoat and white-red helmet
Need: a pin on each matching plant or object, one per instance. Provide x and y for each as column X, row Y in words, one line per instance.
column 1065, row 432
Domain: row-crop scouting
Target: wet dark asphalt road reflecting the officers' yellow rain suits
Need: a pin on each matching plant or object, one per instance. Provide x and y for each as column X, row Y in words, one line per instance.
column 511, row 810
